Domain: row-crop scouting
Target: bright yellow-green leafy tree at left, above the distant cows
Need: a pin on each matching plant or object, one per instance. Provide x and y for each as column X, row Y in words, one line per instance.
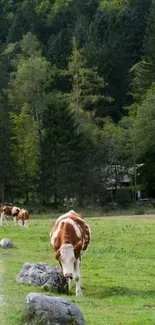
column 26, row 148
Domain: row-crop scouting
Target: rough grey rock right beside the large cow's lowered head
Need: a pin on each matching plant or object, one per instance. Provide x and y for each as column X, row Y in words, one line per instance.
column 44, row 275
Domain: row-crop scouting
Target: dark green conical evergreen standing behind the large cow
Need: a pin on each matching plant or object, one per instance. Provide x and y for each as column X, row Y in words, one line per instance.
column 63, row 153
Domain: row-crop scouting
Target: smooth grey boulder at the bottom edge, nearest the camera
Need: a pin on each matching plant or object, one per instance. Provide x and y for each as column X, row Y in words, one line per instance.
column 45, row 310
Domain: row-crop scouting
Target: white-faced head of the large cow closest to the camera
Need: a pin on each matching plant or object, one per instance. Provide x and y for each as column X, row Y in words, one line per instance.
column 66, row 255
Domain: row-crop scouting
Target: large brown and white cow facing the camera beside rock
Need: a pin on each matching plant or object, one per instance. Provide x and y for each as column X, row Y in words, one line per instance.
column 70, row 236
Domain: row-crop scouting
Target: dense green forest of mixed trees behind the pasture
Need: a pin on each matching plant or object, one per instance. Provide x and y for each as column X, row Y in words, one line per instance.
column 77, row 101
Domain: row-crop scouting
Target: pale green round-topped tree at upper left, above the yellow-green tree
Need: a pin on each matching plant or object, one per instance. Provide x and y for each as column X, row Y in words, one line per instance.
column 30, row 81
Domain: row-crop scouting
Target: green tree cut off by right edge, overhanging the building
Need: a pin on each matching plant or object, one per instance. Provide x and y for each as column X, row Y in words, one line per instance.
column 145, row 133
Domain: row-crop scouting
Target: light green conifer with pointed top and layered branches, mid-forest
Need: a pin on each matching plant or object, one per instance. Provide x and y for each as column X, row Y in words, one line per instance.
column 87, row 87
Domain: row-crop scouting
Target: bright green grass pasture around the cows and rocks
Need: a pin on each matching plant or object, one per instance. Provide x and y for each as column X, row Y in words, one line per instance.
column 118, row 270
